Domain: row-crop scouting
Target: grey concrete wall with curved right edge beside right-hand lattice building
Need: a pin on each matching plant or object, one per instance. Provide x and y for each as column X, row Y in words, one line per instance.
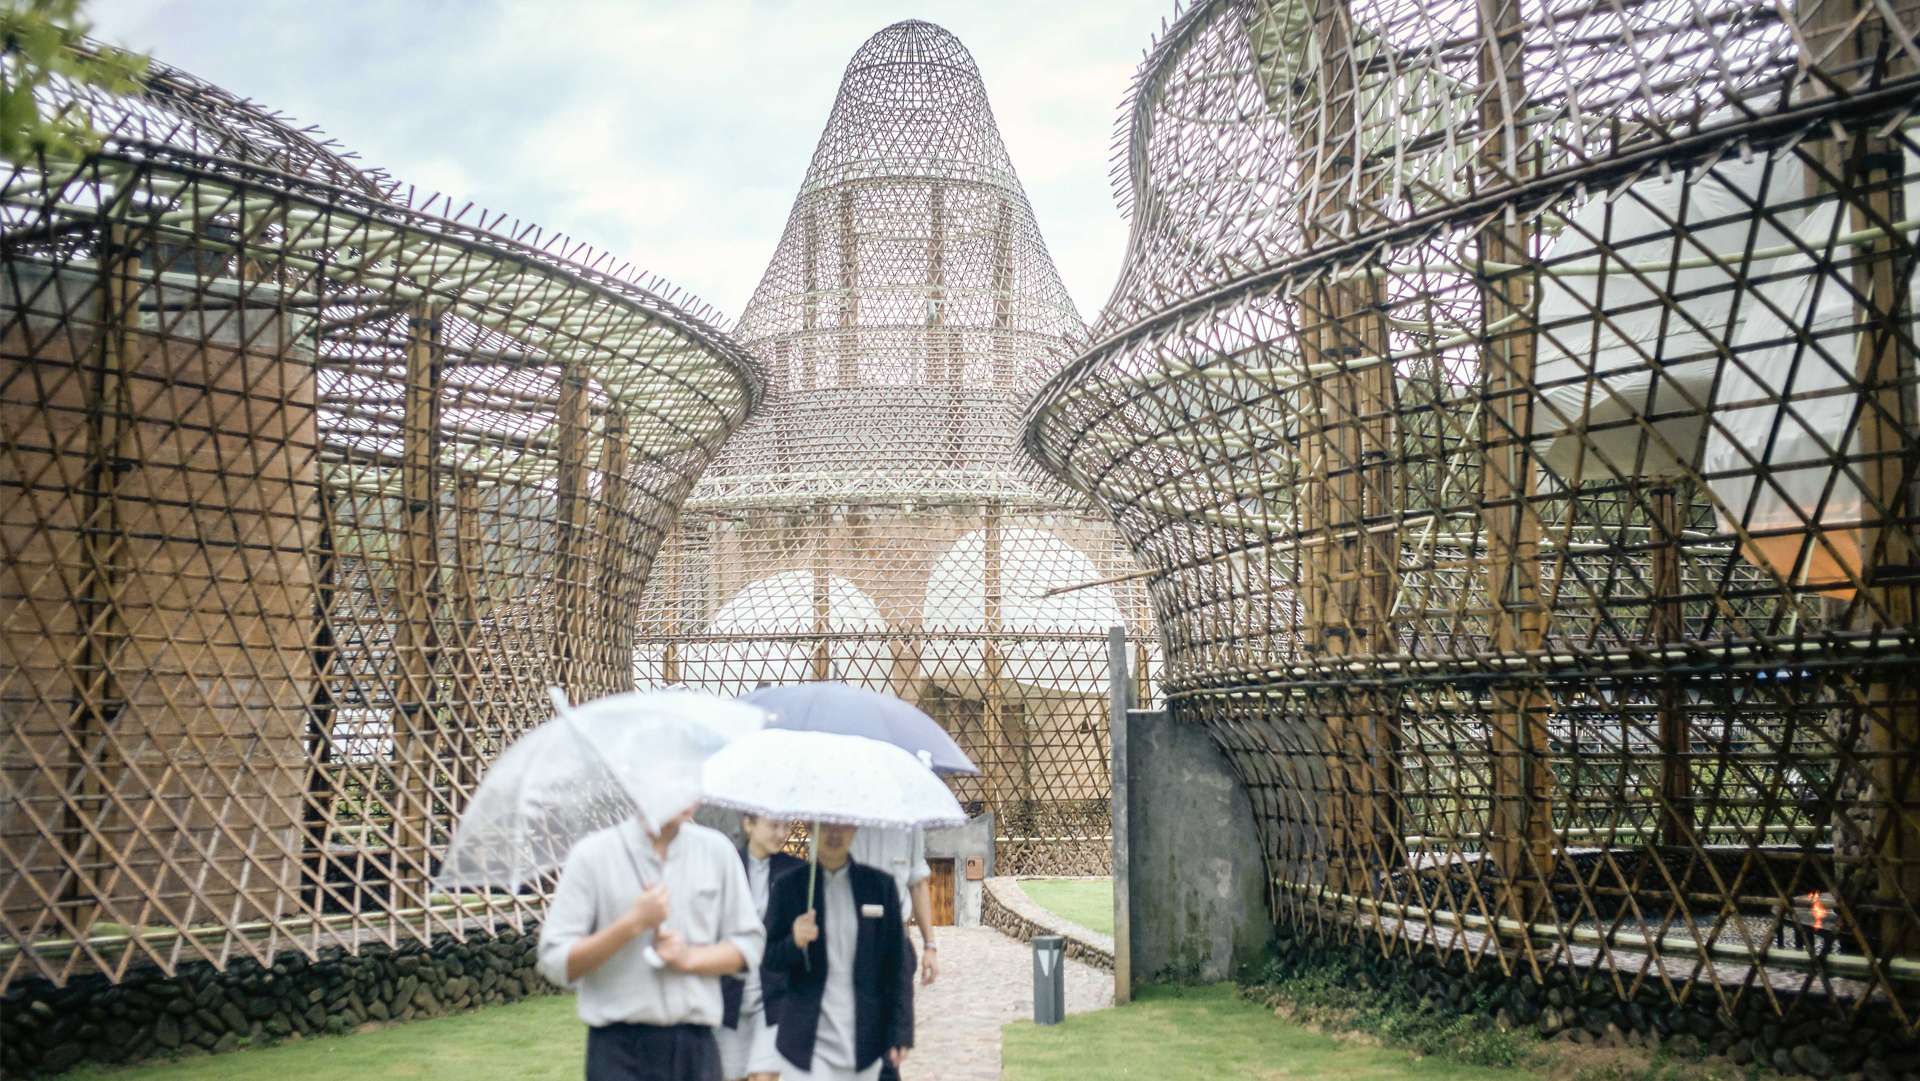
column 1195, row 884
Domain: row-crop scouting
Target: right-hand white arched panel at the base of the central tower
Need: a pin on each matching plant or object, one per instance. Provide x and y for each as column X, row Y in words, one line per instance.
column 1032, row 564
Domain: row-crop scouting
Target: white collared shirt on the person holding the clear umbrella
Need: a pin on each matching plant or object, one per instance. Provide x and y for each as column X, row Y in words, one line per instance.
column 708, row 901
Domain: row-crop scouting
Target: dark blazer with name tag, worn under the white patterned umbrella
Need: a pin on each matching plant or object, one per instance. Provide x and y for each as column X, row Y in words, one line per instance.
column 882, row 971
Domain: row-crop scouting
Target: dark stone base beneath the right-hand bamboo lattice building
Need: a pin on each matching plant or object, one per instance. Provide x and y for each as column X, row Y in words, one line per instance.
column 1794, row 1034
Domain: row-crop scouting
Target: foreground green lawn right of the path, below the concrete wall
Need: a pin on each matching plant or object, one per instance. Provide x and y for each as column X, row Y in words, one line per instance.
column 1211, row 1032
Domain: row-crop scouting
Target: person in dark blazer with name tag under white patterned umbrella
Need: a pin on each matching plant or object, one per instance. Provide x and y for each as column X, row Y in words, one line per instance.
column 850, row 978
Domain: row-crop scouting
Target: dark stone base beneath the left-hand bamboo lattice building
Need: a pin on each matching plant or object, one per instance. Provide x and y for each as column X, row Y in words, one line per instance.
column 199, row 1011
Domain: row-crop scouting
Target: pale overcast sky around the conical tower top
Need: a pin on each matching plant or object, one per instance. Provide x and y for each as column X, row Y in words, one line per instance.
column 673, row 135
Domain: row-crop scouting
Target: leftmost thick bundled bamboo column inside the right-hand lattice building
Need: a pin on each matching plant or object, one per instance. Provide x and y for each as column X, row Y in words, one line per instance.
column 1349, row 567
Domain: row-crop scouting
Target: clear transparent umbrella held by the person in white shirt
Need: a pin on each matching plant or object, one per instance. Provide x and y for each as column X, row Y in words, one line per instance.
column 588, row 769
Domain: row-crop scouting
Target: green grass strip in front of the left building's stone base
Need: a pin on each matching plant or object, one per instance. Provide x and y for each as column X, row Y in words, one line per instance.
column 539, row 1040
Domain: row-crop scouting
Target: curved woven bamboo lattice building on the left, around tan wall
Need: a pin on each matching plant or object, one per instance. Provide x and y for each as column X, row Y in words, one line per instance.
column 306, row 496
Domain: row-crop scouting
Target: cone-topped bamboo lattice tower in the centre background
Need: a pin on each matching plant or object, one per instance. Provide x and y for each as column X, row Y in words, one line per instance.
column 878, row 523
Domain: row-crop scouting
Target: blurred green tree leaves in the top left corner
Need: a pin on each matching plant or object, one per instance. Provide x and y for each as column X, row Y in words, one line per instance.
column 41, row 41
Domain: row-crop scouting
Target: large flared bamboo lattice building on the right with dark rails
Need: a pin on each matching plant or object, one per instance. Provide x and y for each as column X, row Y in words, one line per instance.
column 1516, row 408
